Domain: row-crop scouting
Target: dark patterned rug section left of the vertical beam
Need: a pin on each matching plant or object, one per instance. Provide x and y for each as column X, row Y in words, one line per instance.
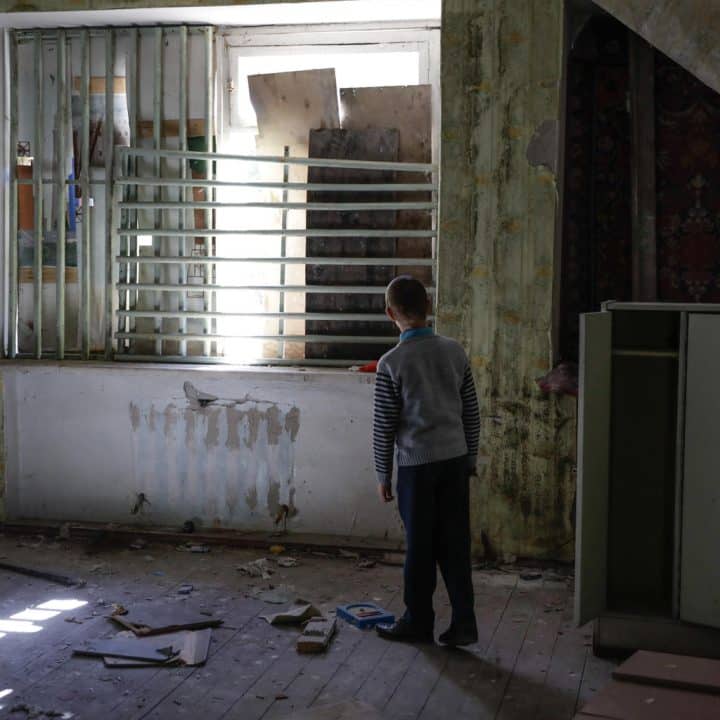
column 597, row 251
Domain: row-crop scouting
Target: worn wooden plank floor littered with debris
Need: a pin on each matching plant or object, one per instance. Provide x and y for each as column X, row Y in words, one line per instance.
column 529, row 662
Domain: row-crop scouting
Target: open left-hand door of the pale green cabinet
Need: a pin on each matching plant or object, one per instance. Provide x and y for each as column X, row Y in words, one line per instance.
column 593, row 466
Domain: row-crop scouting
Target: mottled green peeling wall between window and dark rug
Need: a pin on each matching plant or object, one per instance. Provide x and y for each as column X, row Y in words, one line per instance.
column 501, row 70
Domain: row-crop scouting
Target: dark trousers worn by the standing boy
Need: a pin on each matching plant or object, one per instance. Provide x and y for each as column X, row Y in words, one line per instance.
column 434, row 505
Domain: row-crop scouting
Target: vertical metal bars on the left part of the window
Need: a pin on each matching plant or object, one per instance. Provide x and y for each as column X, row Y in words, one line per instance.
column 66, row 86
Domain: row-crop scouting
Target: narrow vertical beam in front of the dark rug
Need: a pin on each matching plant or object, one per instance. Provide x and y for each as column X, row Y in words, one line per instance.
column 642, row 168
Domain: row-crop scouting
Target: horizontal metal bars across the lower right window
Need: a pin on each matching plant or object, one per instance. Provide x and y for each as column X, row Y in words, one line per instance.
column 177, row 321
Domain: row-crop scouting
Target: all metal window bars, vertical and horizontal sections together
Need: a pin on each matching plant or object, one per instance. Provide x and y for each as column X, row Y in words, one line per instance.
column 163, row 304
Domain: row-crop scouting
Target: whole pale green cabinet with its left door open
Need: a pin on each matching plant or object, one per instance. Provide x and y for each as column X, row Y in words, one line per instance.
column 648, row 520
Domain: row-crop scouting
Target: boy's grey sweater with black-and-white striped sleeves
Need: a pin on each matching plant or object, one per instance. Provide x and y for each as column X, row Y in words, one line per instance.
column 425, row 404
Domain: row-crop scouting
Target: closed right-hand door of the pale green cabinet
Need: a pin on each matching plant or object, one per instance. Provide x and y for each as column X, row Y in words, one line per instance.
column 700, row 568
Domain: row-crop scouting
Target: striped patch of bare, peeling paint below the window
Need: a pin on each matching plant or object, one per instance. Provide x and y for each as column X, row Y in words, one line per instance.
column 213, row 458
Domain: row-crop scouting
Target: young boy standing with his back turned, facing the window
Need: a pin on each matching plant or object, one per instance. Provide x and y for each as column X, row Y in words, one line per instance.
column 426, row 407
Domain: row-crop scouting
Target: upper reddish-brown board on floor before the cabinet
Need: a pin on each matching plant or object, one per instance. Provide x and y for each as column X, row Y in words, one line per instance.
column 673, row 671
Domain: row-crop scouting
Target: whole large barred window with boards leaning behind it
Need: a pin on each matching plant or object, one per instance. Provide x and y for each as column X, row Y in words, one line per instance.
column 249, row 205
